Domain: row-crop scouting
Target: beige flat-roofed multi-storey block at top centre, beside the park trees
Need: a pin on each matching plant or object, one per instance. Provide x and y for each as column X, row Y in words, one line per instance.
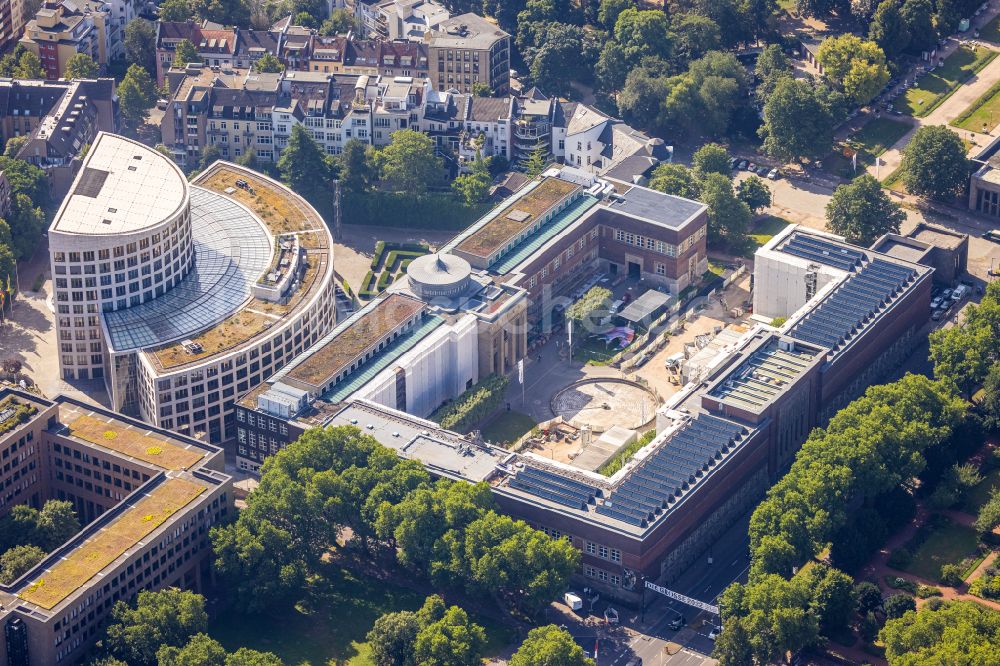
column 466, row 50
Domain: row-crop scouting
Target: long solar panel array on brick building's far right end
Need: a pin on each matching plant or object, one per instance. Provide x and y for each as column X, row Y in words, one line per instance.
column 848, row 308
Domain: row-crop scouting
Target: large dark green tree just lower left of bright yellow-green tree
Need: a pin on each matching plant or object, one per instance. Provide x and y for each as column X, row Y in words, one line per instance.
column 785, row 134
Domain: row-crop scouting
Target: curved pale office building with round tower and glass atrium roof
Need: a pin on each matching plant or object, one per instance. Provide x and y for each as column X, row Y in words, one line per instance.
column 176, row 332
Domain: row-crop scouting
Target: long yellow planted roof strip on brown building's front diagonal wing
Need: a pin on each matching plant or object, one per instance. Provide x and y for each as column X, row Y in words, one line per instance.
column 81, row 563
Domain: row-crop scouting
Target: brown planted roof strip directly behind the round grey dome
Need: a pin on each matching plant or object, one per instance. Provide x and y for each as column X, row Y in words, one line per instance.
column 503, row 227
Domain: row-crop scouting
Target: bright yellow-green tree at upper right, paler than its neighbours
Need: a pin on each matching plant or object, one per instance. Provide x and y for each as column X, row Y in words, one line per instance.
column 856, row 66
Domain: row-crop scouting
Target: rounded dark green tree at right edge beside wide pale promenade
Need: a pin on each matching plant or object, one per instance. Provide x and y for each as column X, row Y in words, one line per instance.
column 934, row 163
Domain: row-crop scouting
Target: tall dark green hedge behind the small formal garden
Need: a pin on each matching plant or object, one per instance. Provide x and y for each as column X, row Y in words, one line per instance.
column 390, row 209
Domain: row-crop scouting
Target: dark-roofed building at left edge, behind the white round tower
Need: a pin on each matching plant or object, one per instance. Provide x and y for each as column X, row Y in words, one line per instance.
column 59, row 118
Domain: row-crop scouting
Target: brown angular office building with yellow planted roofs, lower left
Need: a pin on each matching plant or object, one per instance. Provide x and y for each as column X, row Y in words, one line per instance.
column 146, row 497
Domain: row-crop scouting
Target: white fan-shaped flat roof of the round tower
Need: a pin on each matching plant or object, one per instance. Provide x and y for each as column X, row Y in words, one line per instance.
column 122, row 187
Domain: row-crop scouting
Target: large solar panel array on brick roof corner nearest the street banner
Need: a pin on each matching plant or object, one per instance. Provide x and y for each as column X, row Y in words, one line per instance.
column 676, row 466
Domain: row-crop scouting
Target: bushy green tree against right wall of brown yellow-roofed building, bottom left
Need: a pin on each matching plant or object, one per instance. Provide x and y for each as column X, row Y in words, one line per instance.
column 165, row 618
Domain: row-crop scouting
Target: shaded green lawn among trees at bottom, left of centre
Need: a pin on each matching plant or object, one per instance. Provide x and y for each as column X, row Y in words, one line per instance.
column 334, row 632
